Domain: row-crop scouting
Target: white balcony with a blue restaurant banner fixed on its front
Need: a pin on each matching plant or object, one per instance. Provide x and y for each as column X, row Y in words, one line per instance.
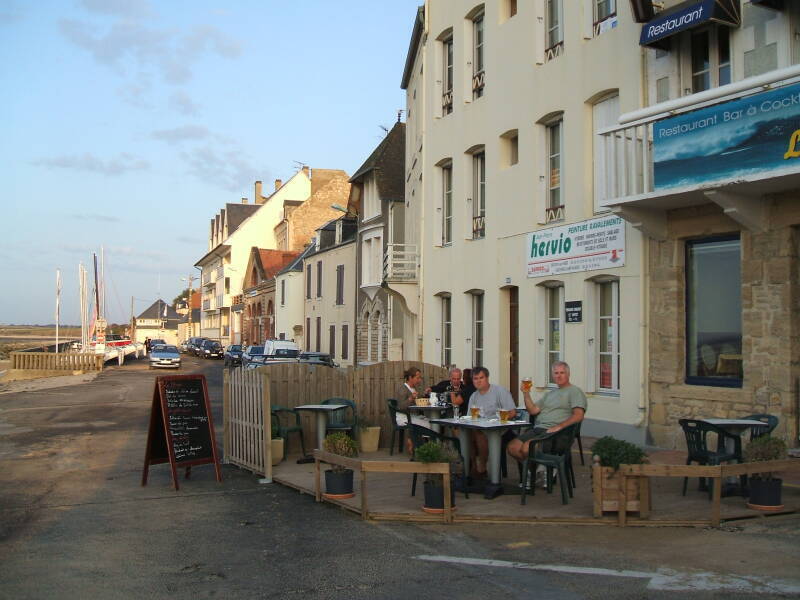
column 729, row 145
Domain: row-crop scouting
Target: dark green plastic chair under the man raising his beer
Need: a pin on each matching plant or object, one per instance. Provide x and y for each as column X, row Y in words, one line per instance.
column 551, row 450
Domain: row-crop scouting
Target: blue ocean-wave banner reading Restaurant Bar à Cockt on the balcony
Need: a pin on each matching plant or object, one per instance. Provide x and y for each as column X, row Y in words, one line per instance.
column 746, row 136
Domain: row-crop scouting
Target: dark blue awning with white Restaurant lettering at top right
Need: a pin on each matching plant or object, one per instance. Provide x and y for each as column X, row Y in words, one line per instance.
column 688, row 15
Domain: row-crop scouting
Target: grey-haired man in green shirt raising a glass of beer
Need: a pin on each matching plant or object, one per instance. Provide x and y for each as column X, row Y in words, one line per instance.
column 556, row 410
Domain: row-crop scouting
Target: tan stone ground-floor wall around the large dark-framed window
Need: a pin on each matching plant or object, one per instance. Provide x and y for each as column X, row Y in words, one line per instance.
column 770, row 324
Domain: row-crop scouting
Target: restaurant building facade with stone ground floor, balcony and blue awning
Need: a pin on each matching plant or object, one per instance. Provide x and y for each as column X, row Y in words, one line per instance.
column 709, row 171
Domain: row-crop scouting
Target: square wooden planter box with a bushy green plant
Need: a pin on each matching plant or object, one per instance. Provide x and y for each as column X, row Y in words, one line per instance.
column 609, row 453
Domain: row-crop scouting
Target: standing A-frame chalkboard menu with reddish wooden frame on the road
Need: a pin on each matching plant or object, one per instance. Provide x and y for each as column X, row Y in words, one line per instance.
column 181, row 427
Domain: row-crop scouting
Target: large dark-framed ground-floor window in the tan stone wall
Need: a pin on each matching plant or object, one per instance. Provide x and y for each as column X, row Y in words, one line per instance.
column 714, row 312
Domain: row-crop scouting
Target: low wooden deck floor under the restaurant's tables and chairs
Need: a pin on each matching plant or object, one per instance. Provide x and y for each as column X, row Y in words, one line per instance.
column 389, row 496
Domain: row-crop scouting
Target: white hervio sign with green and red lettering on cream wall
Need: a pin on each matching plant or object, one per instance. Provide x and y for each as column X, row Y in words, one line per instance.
column 583, row 246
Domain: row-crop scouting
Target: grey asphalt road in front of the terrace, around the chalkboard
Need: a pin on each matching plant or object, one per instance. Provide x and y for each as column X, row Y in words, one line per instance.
column 76, row 523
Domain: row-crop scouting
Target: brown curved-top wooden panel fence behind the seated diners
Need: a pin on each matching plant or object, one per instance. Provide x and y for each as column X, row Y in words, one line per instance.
column 291, row 385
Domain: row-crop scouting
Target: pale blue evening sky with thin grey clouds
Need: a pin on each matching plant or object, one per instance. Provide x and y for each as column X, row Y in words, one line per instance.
column 128, row 124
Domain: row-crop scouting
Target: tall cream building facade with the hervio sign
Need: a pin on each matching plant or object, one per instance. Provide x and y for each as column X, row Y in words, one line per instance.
column 522, row 263
